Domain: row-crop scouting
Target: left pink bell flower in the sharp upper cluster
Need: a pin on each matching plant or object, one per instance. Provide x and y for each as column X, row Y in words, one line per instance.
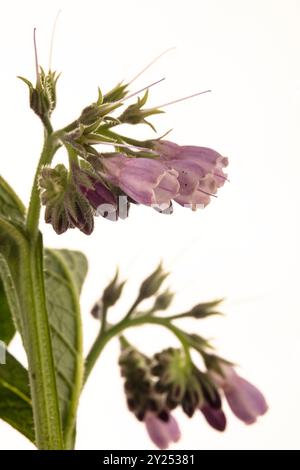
column 147, row 181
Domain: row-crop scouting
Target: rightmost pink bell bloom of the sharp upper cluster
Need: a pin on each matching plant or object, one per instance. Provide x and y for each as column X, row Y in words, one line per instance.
column 200, row 171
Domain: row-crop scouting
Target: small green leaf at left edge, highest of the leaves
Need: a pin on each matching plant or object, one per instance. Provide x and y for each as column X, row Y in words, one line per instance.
column 10, row 205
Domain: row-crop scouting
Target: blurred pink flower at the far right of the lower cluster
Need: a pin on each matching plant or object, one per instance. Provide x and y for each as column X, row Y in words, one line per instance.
column 244, row 399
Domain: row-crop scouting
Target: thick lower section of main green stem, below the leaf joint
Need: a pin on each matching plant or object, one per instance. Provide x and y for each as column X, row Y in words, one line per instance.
column 39, row 351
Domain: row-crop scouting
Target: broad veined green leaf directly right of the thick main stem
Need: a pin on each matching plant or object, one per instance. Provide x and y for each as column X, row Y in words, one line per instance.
column 64, row 275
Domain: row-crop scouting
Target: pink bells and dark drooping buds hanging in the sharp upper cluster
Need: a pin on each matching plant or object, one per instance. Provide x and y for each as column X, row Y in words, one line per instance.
column 188, row 176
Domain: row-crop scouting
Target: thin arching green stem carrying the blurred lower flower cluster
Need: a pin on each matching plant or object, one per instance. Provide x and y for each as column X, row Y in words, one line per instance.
column 102, row 340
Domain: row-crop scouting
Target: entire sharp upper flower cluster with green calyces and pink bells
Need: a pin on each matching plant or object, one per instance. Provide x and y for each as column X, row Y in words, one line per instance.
column 154, row 172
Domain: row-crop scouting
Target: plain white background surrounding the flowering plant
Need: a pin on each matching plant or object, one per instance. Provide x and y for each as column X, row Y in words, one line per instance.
column 244, row 246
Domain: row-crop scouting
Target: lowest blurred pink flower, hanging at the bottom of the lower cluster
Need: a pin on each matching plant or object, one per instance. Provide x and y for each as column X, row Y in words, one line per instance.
column 162, row 433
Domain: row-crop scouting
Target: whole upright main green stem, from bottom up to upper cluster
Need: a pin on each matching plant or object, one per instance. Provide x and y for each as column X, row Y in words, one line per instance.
column 37, row 332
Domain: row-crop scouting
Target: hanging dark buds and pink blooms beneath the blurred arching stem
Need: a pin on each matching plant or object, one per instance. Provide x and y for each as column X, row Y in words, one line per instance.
column 155, row 387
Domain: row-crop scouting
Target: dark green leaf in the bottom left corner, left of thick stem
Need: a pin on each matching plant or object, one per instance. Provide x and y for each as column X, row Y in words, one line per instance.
column 15, row 402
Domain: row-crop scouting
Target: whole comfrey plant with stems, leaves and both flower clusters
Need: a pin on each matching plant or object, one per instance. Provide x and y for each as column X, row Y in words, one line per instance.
column 40, row 287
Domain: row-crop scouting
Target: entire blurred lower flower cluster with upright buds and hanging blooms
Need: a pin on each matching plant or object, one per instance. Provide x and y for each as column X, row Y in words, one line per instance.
column 155, row 386
